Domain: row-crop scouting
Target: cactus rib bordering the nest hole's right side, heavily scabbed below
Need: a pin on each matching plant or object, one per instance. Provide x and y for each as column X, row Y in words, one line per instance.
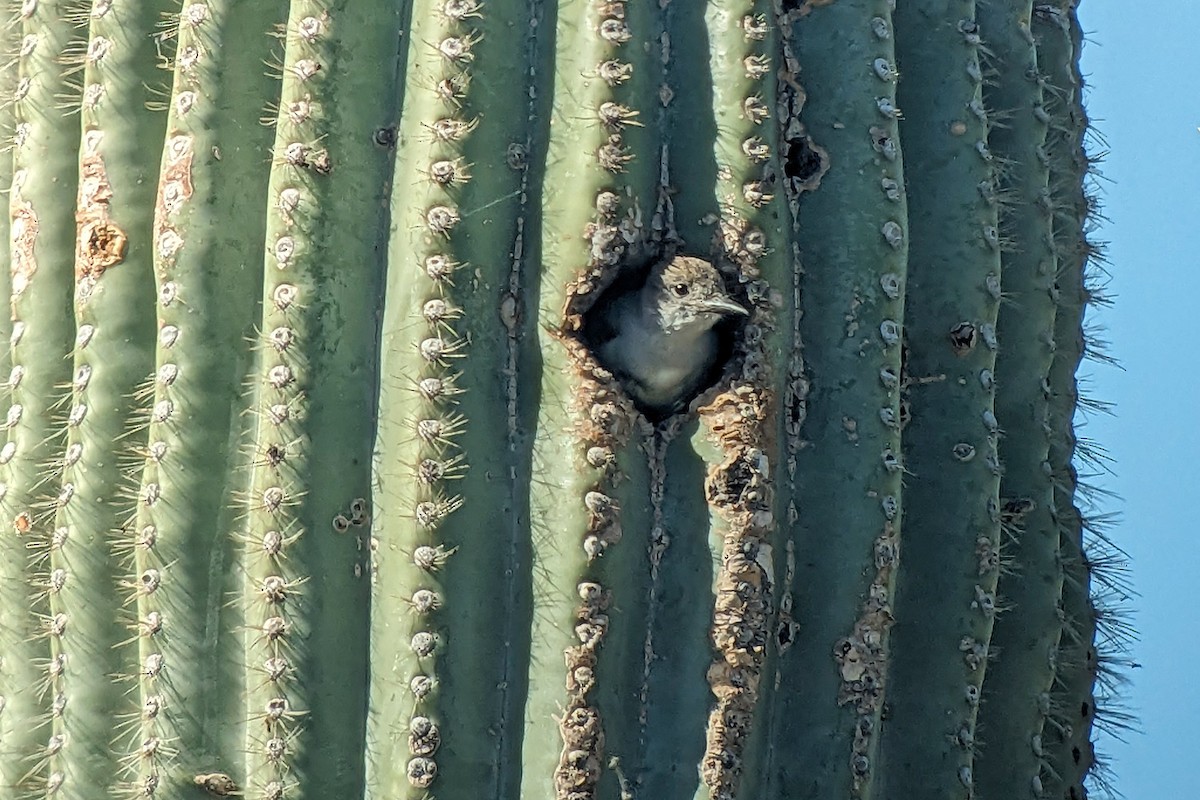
column 742, row 428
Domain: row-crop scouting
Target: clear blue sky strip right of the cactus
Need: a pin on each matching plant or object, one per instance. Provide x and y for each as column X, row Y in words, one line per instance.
column 1143, row 100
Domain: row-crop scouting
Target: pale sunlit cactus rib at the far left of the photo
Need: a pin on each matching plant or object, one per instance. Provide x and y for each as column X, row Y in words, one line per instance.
column 43, row 227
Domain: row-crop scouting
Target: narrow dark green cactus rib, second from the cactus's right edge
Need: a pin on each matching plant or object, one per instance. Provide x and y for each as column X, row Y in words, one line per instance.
column 1012, row 715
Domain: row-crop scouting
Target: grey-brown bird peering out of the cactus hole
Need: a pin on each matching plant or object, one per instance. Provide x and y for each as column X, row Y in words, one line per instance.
column 659, row 340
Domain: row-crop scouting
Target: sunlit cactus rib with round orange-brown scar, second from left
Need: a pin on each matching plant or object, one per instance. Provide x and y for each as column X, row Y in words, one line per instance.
column 112, row 358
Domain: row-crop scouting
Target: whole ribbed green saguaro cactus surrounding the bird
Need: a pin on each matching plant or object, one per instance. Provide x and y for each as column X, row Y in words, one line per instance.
column 313, row 484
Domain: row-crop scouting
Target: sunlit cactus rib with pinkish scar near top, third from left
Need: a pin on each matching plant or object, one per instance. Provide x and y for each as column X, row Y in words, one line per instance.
column 171, row 530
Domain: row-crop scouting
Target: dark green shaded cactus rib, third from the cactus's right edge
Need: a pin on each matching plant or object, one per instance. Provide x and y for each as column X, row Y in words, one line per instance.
column 946, row 585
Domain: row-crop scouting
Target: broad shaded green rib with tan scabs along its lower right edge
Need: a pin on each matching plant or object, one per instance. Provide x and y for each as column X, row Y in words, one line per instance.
column 853, row 239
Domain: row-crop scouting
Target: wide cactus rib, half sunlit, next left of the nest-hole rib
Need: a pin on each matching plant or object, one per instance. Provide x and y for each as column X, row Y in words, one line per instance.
column 449, row 332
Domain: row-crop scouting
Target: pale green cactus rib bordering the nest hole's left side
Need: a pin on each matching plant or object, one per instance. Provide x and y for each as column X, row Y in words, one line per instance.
column 599, row 201
